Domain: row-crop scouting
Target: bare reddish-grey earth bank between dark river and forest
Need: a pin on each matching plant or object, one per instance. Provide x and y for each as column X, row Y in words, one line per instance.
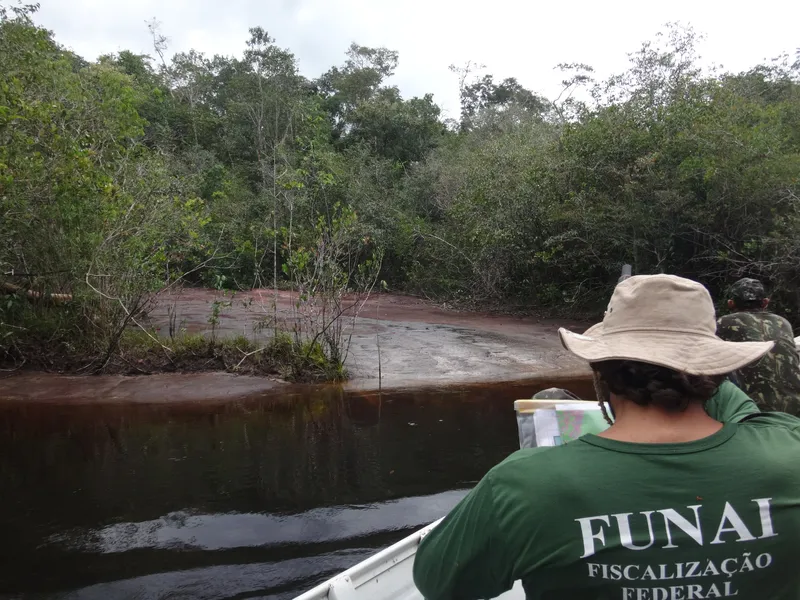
column 411, row 342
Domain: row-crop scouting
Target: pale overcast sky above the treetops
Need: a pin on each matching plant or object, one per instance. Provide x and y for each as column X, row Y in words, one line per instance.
column 511, row 37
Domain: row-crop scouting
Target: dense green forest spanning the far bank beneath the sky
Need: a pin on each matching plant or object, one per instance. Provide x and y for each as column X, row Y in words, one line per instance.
column 127, row 175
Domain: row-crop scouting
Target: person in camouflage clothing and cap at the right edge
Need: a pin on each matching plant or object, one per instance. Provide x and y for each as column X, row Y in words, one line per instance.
column 774, row 381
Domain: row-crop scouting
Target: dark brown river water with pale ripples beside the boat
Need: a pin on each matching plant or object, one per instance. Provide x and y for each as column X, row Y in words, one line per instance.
column 261, row 498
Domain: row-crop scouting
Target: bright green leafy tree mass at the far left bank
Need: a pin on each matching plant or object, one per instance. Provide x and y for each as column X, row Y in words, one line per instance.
column 85, row 206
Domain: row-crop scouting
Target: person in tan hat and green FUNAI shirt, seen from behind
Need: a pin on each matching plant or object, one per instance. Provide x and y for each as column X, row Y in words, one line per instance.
column 688, row 495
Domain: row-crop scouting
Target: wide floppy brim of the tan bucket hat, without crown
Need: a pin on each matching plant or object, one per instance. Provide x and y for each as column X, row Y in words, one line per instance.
column 691, row 353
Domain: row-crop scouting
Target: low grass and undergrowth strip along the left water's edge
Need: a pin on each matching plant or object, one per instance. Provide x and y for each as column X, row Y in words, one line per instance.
column 64, row 340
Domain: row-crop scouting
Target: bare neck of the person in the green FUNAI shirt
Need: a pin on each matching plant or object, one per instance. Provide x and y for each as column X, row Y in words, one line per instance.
column 652, row 425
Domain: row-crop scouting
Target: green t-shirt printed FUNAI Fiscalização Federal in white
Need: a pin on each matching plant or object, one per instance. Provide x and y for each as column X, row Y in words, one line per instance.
column 601, row 519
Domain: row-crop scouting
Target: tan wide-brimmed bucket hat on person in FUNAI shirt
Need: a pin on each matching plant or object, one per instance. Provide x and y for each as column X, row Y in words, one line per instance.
column 663, row 320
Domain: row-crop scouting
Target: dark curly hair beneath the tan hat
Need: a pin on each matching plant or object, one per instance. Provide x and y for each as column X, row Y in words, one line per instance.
column 652, row 385
